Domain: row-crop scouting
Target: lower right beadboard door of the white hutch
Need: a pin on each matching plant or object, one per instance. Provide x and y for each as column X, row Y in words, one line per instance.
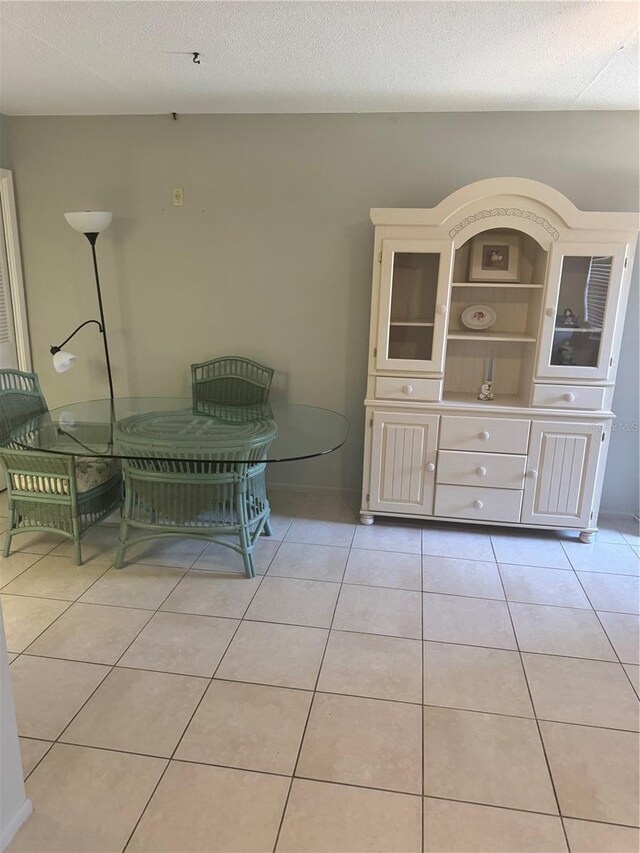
column 562, row 466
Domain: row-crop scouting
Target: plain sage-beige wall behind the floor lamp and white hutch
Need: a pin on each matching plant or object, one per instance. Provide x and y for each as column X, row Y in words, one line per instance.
column 271, row 255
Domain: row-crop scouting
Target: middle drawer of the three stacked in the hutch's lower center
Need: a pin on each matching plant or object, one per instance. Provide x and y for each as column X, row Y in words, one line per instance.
column 496, row 470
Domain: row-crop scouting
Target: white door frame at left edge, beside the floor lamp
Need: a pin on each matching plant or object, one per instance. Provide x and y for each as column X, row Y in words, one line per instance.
column 14, row 266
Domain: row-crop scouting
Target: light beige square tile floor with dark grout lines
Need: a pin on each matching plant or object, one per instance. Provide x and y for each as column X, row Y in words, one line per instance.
column 396, row 688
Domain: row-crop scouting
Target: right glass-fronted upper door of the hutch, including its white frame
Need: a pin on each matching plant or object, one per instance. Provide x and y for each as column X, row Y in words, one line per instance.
column 578, row 328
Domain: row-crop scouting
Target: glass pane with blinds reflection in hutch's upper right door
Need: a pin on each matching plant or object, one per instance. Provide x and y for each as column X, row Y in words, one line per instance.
column 584, row 287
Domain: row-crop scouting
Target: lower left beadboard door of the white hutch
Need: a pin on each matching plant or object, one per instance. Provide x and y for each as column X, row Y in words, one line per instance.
column 403, row 457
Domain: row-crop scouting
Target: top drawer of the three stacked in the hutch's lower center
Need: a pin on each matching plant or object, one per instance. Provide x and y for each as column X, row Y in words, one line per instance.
column 497, row 435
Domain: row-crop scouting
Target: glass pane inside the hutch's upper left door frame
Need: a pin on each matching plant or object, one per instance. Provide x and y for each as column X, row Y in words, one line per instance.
column 414, row 285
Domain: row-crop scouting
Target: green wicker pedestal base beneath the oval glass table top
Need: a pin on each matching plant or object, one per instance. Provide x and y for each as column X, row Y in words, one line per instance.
column 199, row 499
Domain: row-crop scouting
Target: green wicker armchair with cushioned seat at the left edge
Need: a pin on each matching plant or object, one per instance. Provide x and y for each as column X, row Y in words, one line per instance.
column 48, row 492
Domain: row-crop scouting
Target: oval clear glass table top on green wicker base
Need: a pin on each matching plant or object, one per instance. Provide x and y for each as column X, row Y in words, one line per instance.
column 177, row 428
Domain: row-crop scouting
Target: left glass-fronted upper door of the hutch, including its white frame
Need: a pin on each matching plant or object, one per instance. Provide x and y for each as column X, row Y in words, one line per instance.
column 412, row 317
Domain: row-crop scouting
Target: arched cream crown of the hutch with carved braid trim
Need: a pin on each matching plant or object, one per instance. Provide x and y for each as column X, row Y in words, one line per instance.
column 506, row 202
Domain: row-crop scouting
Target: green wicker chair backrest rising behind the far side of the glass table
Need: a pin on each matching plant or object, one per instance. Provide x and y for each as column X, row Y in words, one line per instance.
column 231, row 380
